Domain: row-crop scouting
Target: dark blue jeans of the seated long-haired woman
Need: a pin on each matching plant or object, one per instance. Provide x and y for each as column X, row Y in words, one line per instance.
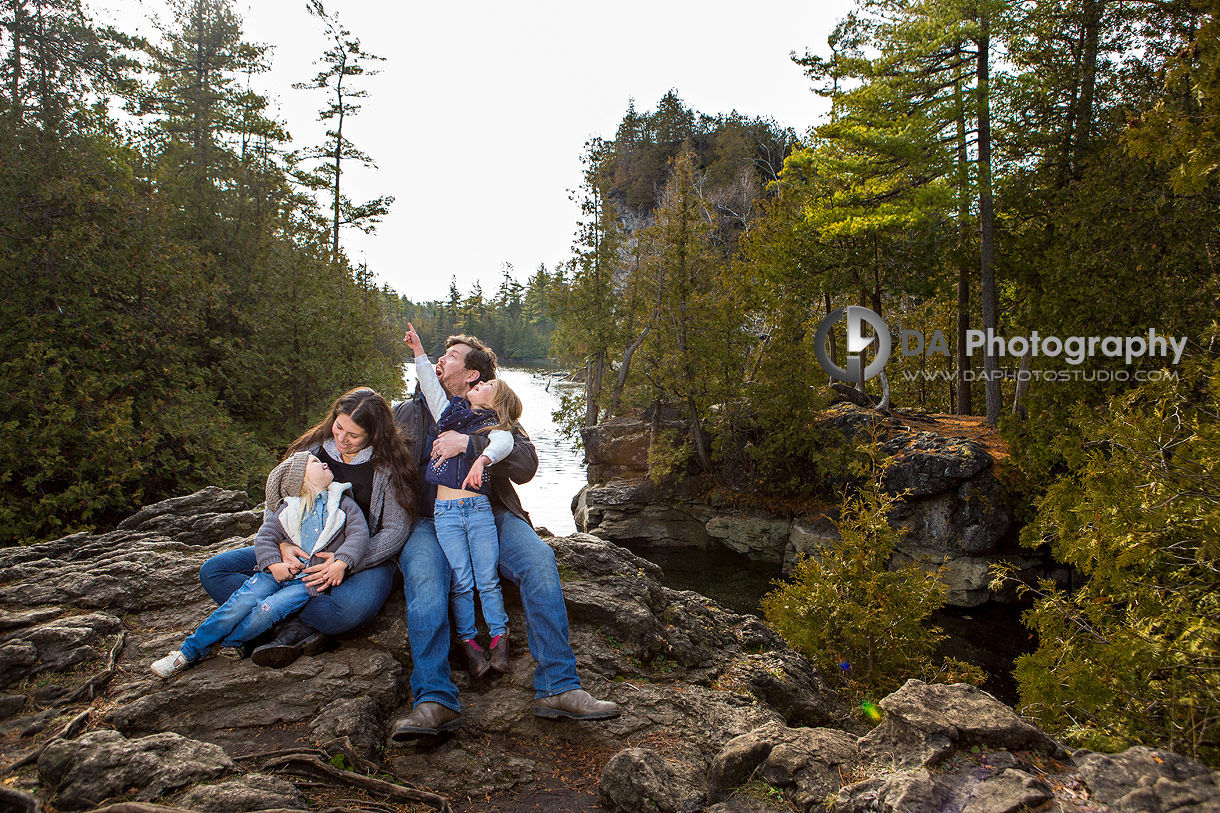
column 354, row 604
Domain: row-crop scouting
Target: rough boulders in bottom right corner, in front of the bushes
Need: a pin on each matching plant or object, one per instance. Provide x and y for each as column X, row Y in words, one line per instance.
column 936, row 749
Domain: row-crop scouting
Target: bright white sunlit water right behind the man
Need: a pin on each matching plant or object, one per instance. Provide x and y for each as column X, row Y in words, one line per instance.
column 548, row 497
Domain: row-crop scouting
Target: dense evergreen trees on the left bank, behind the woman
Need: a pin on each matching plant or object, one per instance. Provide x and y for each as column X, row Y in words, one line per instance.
column 171, row 319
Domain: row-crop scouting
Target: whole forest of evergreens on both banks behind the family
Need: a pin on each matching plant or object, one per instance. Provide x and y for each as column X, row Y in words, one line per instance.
column 179, row 303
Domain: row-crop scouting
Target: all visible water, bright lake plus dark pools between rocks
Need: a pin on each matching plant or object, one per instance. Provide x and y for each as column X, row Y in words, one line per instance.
column 990, row 637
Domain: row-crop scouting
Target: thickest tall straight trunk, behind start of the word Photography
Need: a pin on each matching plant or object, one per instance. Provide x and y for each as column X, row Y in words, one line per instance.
column 986, row 220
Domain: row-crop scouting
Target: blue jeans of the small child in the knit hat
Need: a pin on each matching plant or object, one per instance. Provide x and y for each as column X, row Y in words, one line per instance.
column 254, row 609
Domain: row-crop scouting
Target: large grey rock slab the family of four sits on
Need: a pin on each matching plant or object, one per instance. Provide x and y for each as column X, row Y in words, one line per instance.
column 81, row 620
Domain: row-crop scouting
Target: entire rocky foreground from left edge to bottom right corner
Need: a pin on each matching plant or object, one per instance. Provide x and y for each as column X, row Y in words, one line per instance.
column 719, row 715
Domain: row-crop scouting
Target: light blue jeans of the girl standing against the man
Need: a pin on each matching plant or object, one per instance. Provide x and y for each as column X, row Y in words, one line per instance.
column 467, row 533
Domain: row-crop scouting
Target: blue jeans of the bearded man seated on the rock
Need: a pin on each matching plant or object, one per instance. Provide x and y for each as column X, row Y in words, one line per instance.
column 525, row 561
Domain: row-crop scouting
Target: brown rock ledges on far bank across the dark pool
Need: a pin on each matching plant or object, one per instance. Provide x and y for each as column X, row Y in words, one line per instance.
column 956, row 512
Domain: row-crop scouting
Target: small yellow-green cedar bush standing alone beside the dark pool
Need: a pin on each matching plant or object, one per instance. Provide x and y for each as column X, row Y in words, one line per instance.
column 850, row 612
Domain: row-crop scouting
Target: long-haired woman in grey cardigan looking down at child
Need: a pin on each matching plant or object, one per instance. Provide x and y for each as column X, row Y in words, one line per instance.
column 361, row 444
